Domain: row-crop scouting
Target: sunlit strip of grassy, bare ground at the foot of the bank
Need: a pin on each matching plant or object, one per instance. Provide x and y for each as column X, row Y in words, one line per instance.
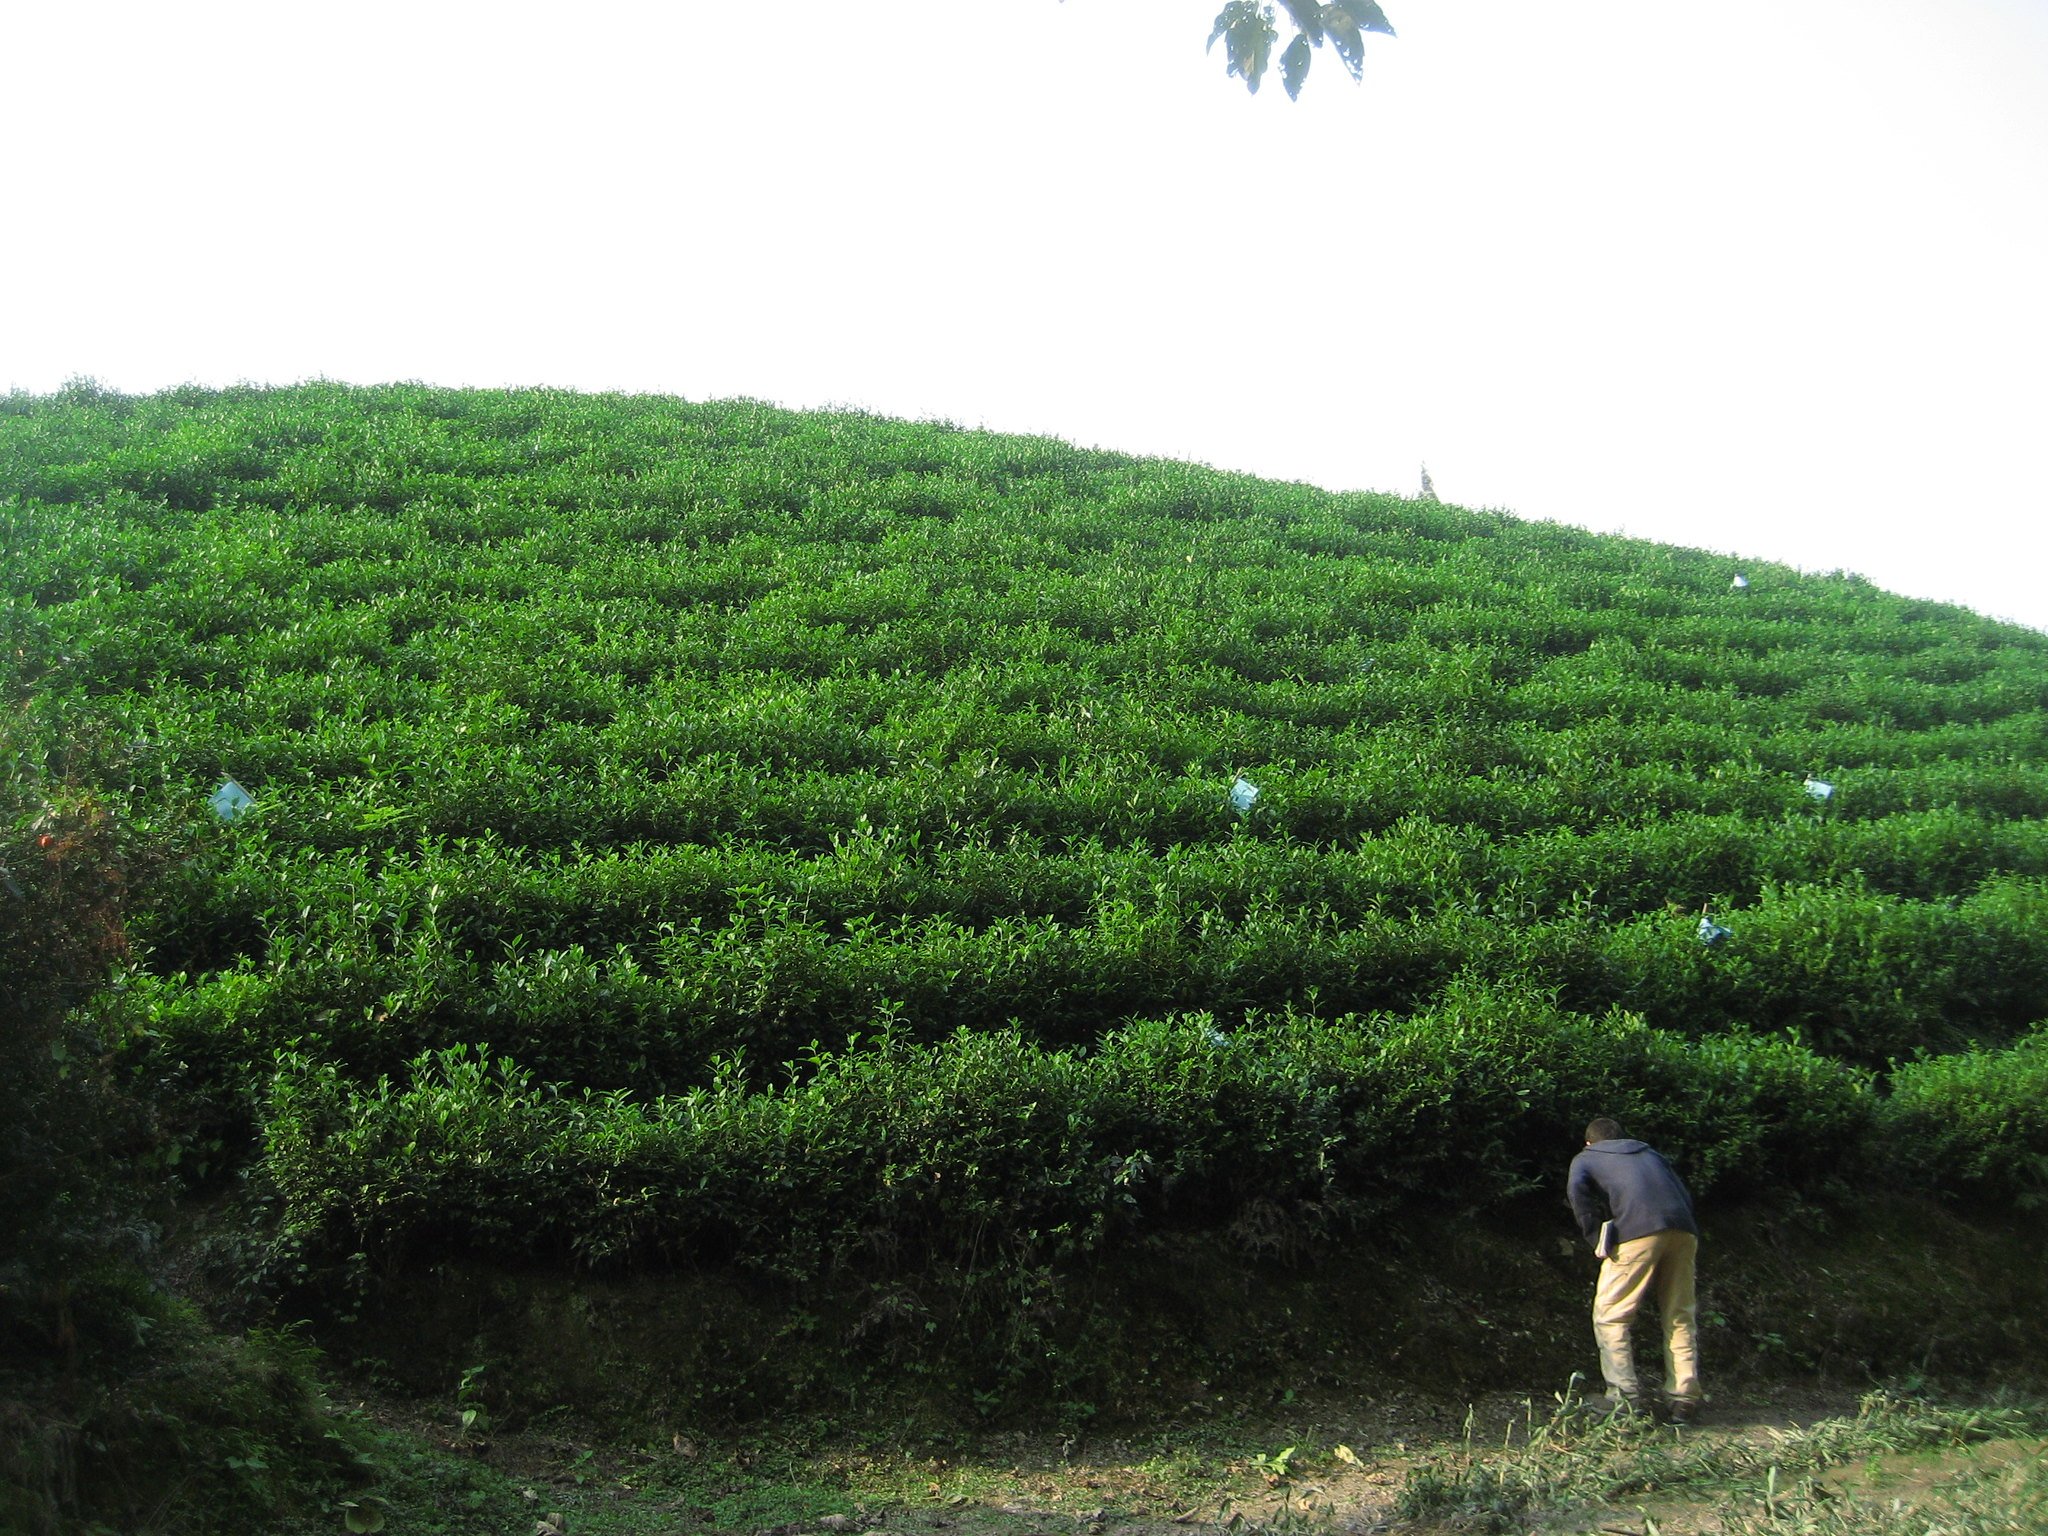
column 1766, row 1465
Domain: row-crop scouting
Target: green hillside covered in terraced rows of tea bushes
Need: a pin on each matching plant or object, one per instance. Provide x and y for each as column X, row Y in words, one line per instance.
column 816, row 847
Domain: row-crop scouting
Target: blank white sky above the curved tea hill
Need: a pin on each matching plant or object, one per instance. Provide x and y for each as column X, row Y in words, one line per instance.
column 1760, row 280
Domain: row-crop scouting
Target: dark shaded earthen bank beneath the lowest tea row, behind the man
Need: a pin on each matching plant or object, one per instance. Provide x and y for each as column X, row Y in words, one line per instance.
column 1441, row 1302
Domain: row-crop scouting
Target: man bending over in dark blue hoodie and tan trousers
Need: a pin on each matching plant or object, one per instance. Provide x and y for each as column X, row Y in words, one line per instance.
column 1652, row 1246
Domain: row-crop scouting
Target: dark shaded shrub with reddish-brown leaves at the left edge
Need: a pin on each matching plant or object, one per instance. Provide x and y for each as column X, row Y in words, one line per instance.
column 120, row 1408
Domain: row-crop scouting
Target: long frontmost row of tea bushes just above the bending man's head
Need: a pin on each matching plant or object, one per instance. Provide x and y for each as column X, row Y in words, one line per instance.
column 988, row 1152
